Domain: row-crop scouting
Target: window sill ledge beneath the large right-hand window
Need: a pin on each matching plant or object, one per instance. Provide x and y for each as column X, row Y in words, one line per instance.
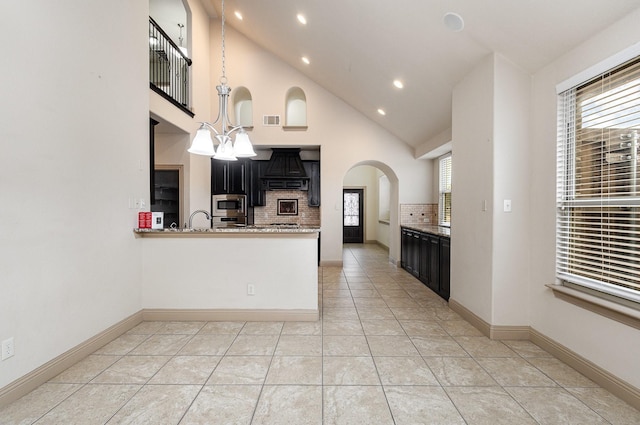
column 620, row 313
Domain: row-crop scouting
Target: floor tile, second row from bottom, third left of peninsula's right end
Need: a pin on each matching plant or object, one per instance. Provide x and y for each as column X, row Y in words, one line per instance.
column 186, row 370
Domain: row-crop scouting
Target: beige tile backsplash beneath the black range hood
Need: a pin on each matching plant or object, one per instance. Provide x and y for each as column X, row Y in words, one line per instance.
column 307, row 216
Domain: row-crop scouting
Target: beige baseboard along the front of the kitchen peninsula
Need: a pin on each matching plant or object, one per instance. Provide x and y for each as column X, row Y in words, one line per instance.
column 230, row 315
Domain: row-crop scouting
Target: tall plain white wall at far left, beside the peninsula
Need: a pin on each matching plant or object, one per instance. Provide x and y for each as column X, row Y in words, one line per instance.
column 74, row 125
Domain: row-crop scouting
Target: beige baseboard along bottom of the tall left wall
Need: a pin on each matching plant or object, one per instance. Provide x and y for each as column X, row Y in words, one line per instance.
column 59, row 364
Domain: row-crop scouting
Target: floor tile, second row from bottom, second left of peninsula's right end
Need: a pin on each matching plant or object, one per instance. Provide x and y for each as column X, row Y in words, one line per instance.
column 250, row 370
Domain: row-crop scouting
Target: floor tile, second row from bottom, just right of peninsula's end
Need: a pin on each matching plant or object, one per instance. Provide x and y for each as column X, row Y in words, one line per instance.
column 349, row 371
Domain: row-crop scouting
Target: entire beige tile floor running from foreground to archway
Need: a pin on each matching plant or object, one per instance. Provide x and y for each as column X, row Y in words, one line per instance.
column 387, row 351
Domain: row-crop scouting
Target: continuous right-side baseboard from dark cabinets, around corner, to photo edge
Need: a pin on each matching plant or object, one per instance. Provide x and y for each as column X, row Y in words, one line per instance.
column 610, row 382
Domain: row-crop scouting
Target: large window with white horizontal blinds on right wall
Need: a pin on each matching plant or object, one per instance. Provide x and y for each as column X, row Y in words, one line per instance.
column 598, row 202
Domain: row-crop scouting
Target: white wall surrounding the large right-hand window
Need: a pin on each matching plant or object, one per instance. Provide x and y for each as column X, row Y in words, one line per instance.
column 607, row 343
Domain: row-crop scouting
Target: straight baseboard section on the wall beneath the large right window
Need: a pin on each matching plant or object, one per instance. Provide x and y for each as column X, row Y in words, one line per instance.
column 606, row 380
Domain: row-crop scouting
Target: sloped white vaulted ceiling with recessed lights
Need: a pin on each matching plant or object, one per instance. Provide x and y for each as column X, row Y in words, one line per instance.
column 358, row 47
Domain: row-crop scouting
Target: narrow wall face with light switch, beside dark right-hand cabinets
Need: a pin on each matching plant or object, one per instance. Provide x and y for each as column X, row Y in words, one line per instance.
column 472, row 183
